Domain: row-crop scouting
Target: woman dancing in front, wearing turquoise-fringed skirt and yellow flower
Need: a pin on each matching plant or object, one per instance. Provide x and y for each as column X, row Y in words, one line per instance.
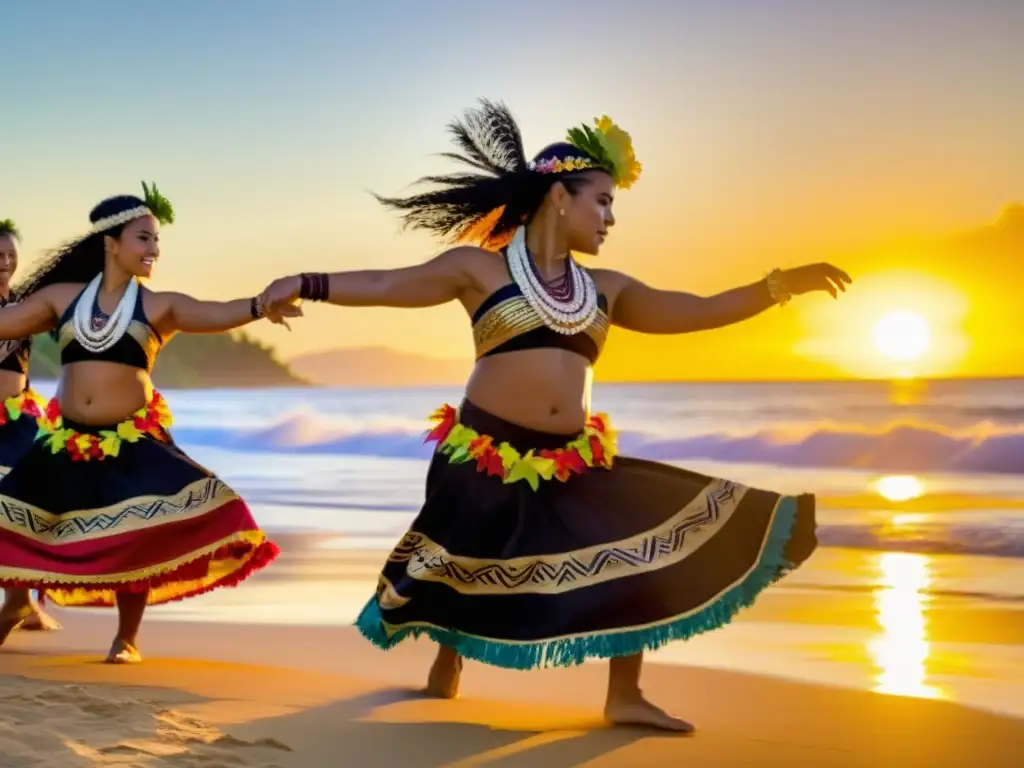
column 537, row 545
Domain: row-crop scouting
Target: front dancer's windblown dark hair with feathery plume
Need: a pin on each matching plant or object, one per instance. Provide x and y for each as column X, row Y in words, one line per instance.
column 487, row 204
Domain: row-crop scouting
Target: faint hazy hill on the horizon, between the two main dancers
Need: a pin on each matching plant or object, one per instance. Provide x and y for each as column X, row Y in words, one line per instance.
column 379, row 367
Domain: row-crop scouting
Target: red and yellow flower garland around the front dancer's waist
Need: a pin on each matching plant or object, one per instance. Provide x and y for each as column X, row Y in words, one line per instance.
column 595, row 447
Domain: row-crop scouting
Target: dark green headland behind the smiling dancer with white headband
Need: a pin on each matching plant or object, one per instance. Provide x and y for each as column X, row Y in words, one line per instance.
column 205, row 361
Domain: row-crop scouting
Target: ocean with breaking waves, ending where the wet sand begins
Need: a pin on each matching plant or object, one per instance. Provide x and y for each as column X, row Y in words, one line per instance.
column 353, row 461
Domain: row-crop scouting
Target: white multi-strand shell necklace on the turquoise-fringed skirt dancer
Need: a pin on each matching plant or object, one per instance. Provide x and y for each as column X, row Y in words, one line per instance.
column 569, row 318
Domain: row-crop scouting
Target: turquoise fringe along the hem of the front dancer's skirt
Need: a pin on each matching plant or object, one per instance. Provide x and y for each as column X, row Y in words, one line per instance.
column 772, row 567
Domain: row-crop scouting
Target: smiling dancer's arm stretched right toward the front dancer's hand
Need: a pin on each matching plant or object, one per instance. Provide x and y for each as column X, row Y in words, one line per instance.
column 180, row 313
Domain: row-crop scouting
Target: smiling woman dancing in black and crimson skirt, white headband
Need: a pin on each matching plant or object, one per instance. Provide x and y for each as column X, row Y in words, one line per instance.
column 105, row 509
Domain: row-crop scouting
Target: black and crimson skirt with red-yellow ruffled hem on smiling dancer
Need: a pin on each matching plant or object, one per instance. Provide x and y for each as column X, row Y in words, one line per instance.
column 148, row 519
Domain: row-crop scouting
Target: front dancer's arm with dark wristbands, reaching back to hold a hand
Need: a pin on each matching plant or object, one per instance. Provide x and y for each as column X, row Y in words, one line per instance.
column 439, row 281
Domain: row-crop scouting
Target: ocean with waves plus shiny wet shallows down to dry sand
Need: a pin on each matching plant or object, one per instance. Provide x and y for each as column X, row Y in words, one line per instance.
column 918, row 588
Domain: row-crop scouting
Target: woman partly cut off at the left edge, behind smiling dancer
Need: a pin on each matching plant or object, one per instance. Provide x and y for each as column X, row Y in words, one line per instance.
column 22, row 407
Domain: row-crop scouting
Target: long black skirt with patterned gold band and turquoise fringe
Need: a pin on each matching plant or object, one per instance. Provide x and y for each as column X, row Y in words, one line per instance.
column 610, row 563
